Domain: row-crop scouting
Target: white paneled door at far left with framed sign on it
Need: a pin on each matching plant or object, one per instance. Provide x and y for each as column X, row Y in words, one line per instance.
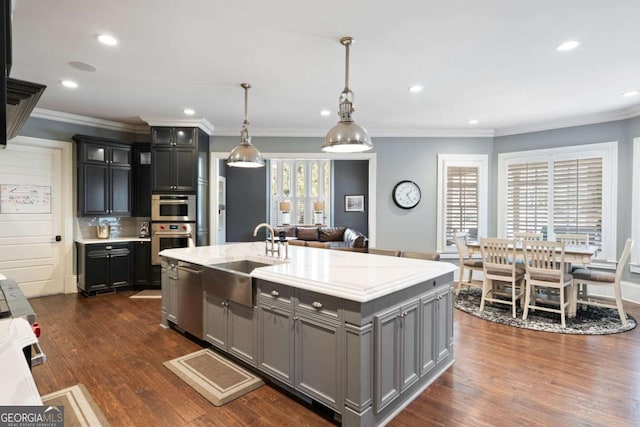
column 31, row 217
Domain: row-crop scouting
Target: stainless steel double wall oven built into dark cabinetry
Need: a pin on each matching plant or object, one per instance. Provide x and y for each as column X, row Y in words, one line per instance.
column 173, row 225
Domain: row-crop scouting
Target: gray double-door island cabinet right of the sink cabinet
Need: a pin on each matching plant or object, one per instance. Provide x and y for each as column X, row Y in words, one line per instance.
column 301, row 349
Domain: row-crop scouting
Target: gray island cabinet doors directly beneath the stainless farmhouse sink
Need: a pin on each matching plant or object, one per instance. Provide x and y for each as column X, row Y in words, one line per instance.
column 231, row 327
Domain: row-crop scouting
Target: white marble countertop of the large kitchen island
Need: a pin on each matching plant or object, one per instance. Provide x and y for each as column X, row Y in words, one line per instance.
column 351, row 275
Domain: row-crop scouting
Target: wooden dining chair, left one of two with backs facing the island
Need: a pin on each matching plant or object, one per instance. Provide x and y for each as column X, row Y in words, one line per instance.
column 498, row 262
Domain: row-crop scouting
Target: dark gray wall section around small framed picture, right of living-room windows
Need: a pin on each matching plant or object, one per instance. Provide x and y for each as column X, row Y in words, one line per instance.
column 351, row 177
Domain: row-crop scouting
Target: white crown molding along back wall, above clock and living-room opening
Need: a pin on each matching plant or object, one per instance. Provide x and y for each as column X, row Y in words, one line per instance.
column 375, row 133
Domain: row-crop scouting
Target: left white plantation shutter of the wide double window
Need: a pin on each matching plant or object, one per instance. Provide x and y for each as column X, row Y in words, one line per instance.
column 527, row 197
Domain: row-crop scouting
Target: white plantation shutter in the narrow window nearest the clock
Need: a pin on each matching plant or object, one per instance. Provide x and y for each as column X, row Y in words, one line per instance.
column 462, row 204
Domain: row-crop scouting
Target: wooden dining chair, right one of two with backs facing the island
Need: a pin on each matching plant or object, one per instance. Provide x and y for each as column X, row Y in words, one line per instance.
column 545, row 268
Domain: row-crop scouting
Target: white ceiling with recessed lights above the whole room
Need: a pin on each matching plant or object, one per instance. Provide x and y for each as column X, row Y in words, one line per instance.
column 491, row 60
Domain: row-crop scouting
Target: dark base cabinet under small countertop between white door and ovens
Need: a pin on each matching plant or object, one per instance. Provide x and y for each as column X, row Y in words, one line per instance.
column 103, row 267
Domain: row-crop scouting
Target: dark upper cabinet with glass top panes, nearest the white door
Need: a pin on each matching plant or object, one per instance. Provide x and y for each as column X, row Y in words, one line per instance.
column 104, row 177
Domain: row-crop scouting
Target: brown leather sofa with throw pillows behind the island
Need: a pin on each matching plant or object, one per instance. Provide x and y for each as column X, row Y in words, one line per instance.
column 317, row 236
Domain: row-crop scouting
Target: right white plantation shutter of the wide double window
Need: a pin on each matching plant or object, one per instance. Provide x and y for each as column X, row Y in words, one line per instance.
column 577, row 197
